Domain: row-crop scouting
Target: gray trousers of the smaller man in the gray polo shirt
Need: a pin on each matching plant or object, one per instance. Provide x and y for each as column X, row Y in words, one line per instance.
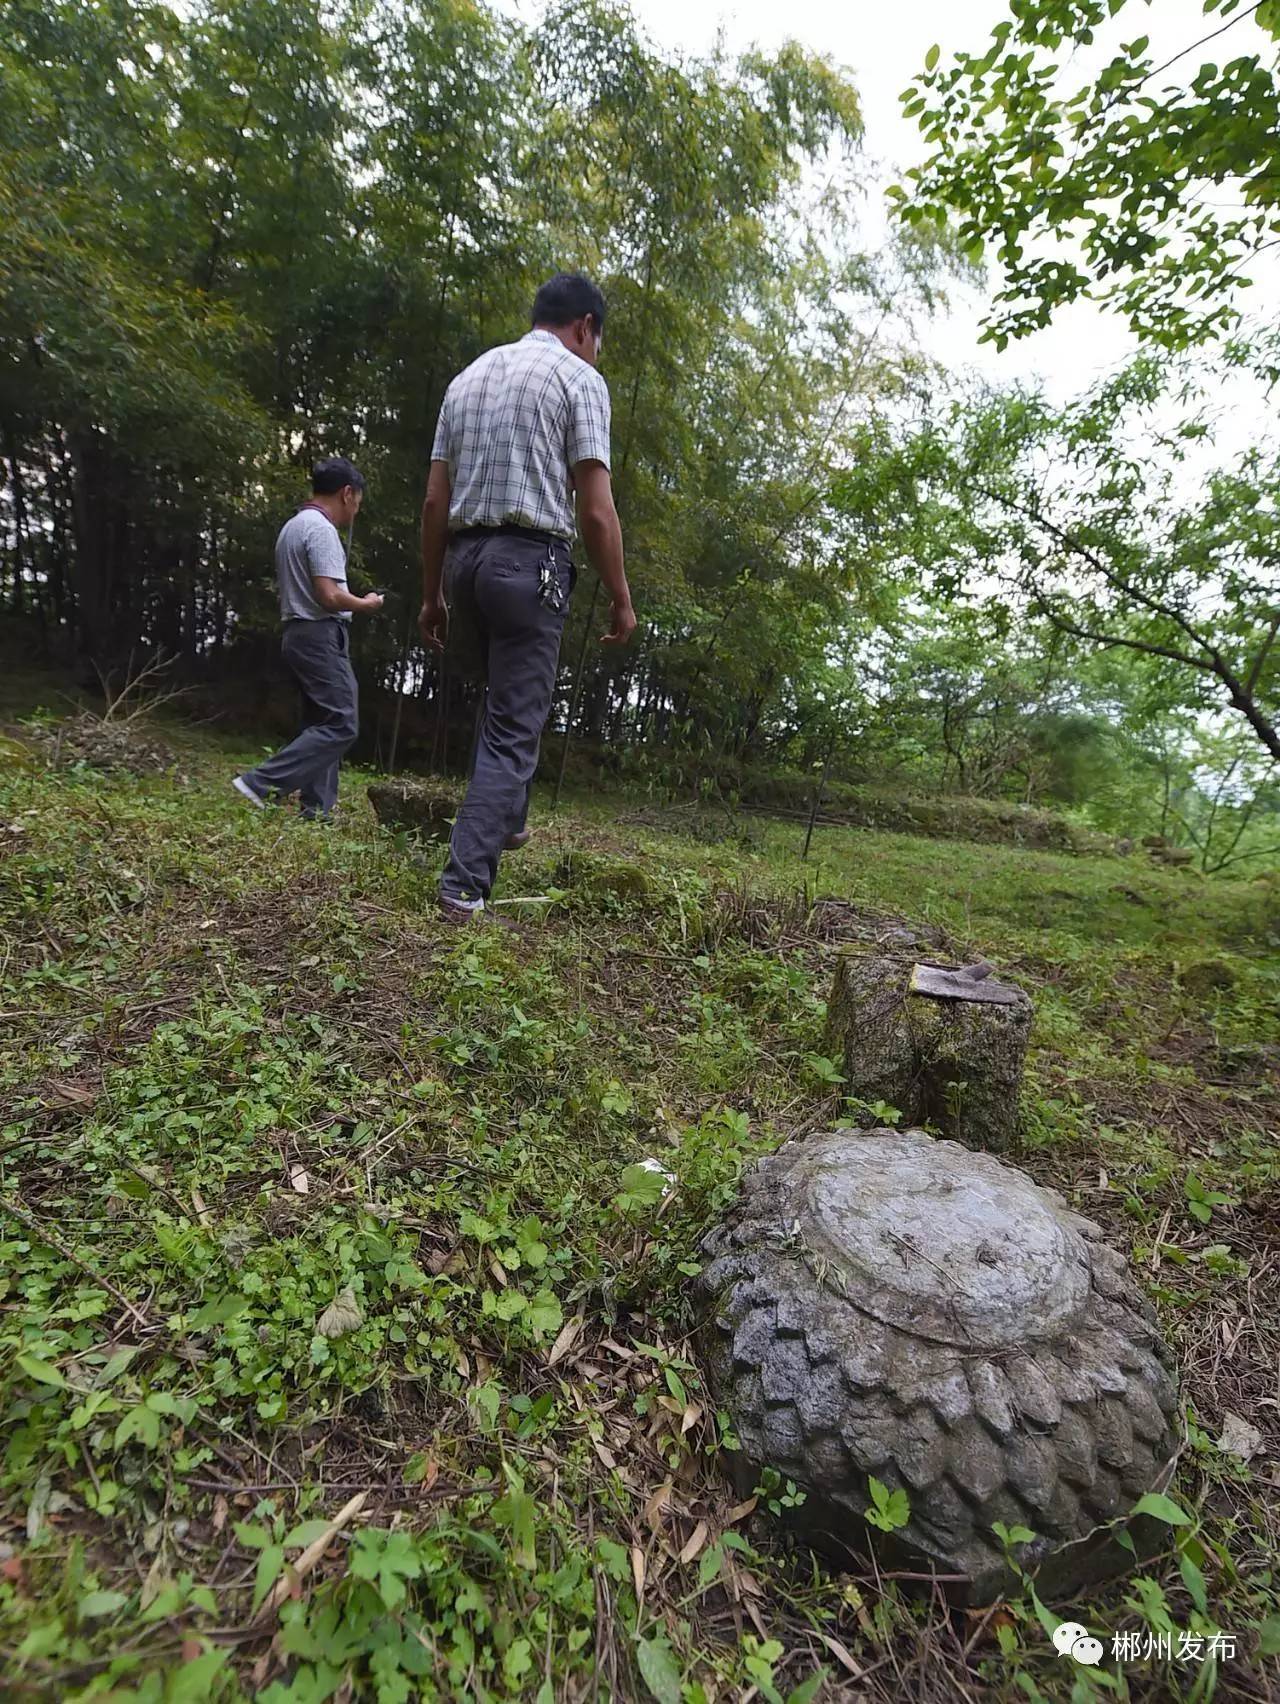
column 318, row 657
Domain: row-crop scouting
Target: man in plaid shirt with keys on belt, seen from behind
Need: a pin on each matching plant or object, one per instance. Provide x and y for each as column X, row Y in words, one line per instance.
column 522, row 434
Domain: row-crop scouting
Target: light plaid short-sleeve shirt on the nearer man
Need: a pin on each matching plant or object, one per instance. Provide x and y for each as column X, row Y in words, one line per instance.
column 512, row 429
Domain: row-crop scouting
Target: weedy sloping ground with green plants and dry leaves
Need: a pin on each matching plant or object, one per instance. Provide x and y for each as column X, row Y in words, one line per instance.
column 314, row 1209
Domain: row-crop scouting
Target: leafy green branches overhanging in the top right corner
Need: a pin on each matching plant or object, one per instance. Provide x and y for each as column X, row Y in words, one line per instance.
column 1151, row 185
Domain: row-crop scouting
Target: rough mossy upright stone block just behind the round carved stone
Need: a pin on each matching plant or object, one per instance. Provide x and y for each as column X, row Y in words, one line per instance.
column 954, row 1064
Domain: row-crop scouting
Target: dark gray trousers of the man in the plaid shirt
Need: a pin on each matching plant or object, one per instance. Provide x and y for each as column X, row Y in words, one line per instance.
column 502, row 631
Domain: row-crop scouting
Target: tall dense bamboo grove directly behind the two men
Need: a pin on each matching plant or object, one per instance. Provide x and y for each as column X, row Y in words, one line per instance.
column 255, row 231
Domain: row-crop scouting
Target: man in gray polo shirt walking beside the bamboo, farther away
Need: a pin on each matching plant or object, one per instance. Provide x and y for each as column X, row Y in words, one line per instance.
column 316, row 609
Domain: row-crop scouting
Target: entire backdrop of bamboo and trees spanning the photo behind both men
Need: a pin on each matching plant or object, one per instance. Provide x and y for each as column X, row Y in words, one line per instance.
column 250, row 233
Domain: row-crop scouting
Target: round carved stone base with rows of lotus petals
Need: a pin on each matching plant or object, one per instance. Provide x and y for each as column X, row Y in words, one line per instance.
column 995, row 1361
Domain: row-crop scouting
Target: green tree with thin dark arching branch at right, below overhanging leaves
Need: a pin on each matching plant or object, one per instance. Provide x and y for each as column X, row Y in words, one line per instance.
column 1102, row 522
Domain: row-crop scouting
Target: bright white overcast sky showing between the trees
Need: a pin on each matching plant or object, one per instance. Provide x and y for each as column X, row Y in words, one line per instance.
column 884, row 47
